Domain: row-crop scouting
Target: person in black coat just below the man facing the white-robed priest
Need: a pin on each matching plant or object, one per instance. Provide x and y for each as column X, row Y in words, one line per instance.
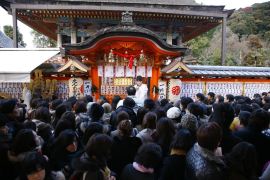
column 128, row 105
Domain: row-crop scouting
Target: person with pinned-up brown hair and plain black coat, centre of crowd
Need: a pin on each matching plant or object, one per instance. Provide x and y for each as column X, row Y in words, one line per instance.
column 124, row 147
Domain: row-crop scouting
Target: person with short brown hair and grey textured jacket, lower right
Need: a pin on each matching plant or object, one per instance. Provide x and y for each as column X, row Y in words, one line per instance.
column 202, row 161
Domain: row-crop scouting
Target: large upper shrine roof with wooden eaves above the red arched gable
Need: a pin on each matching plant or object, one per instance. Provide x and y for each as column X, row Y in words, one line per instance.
column 187, row 19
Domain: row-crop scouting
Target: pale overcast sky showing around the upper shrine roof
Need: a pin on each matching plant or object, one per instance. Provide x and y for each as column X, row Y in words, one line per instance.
column 6, row 19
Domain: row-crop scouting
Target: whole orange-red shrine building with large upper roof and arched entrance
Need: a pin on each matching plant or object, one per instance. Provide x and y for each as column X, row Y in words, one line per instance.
column 105, row 44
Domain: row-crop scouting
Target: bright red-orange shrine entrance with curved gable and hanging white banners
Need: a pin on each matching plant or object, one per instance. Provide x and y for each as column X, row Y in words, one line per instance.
column 117, row 55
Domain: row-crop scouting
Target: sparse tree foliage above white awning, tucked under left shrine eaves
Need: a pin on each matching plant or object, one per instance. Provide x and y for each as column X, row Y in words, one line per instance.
column 41, row 41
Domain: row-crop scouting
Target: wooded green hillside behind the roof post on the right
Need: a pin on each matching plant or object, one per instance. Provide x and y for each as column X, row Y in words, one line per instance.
column 247, row 38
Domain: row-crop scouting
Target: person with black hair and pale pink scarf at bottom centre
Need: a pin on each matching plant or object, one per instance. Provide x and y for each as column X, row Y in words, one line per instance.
column 147, row 159
